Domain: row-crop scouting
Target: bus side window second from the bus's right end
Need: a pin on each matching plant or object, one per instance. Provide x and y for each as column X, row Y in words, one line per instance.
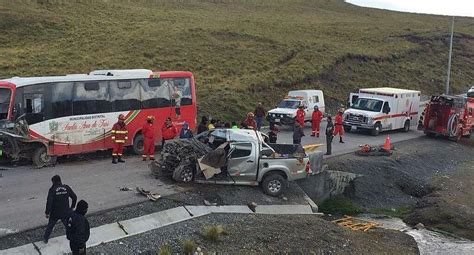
column 154, row 94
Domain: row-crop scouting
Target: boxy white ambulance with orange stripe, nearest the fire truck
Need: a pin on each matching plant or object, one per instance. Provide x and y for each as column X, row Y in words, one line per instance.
column 380, row 109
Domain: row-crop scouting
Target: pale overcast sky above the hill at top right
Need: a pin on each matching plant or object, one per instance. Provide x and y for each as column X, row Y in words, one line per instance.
column 443, row 7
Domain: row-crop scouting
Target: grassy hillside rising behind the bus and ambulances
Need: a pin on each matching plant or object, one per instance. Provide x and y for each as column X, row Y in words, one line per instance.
column 241, row 51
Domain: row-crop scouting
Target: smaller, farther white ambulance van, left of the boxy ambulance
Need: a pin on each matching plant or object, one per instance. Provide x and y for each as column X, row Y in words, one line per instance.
column 285, row 112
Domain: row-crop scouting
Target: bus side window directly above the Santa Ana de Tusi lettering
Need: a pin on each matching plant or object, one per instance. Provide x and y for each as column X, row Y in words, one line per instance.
column 91, row 97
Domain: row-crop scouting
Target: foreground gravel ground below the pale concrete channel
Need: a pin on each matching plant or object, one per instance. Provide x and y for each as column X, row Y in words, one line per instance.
column 265, row 234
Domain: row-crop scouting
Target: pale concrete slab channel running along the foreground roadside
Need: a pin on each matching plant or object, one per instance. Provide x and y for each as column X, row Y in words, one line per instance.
column 118, row 230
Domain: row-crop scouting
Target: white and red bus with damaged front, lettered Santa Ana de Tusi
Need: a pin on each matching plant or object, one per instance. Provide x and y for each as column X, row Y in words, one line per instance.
column 45, row 117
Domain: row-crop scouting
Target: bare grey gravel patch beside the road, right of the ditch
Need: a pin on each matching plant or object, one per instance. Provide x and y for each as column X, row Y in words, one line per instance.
column 405, row 177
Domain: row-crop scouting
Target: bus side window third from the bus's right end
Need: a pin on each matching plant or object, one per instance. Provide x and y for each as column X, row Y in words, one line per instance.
column 125, row 95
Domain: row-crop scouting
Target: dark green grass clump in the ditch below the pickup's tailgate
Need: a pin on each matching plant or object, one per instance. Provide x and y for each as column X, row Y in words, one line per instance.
column 340, row 205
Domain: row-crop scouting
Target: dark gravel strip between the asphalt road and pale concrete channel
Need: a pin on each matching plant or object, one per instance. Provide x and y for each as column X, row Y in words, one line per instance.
column 195, row 195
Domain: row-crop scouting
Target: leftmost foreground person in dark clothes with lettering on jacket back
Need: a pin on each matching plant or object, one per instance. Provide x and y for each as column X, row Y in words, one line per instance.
column 57, row 204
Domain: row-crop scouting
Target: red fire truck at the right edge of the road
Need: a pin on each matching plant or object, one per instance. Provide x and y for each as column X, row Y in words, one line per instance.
column 449, row 116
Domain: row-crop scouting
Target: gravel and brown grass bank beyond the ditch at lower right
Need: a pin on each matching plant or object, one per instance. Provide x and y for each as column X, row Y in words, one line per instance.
column 433, row 177
